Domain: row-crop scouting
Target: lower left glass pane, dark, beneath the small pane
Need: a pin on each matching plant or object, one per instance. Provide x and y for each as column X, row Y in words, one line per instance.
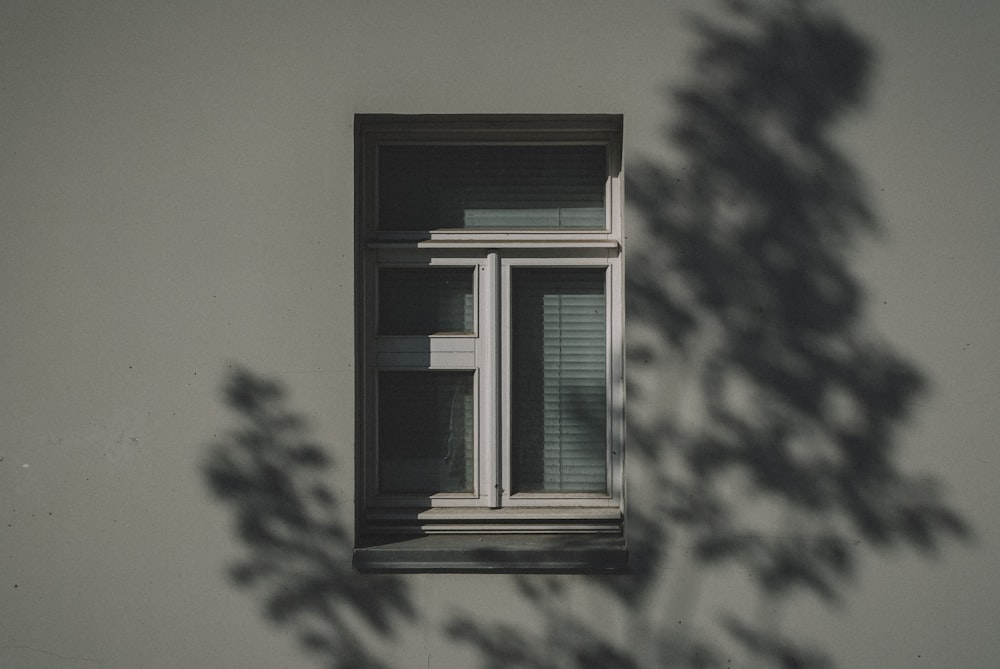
column 426, row 431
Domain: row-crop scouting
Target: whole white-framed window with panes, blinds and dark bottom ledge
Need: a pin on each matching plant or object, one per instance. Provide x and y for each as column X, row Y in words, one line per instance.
column 489, row 334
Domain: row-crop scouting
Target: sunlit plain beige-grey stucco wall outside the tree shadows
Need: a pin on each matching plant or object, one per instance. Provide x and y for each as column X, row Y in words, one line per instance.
column 176, row 194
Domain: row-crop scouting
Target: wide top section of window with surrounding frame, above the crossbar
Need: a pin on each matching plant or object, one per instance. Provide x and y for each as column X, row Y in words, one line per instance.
column 457, row 208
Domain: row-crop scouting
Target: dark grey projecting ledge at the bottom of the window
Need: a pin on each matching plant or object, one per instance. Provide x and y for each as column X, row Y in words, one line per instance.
column 502, row 553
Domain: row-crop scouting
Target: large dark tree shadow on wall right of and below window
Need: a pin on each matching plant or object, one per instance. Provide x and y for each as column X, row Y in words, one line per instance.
column 773, row 448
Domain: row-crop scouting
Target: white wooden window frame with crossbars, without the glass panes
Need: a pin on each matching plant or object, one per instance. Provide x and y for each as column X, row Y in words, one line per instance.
column 493, row 255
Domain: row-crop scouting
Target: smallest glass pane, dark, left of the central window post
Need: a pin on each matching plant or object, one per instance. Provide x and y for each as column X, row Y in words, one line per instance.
column 425, row 300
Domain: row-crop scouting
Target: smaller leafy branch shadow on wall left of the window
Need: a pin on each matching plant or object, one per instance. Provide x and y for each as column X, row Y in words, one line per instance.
column 275, row 478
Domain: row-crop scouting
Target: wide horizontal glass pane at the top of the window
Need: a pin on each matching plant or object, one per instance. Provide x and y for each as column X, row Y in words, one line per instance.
column 432, row 187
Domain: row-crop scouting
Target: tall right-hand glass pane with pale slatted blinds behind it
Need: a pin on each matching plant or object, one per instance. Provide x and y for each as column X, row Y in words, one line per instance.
column 559, row 381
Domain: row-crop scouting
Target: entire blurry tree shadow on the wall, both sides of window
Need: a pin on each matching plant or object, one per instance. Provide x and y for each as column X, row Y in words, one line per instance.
column 762, row 412
